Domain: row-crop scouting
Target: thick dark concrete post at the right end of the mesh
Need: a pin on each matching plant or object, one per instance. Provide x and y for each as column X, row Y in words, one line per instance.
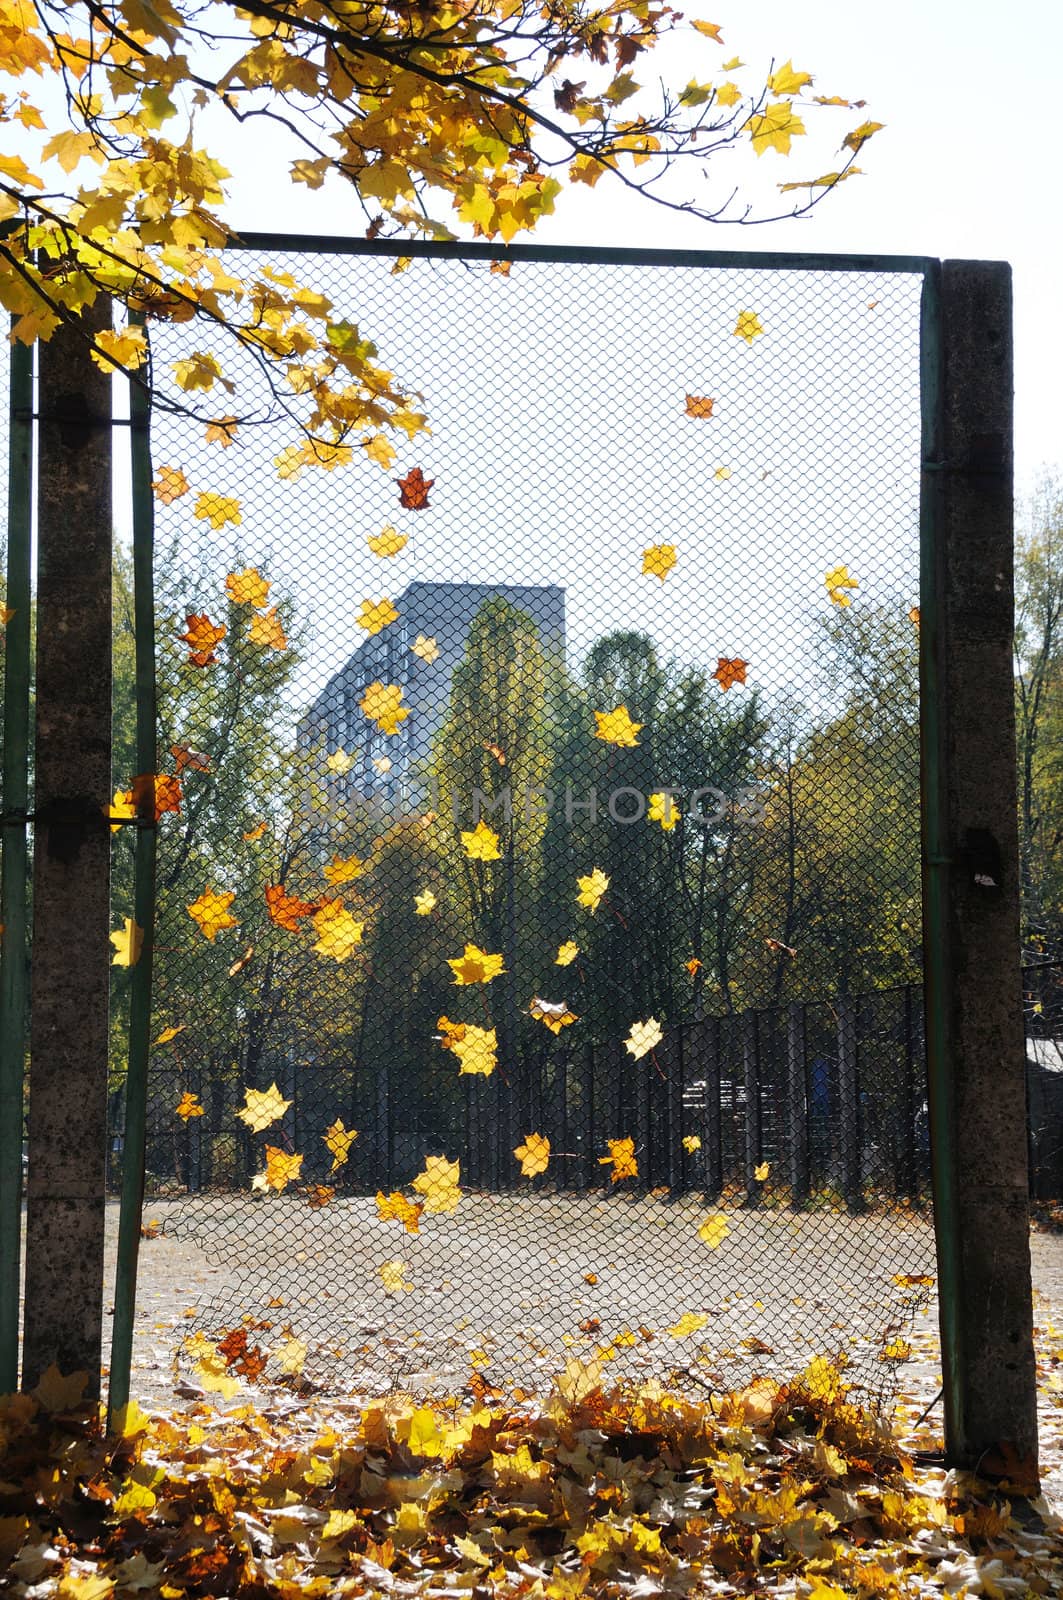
column 990, row 1380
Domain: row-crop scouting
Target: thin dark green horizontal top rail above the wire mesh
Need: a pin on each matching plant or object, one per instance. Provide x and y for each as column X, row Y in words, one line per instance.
column 588, row 255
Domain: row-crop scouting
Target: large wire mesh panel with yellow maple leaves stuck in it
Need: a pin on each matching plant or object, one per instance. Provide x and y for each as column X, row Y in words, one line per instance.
column 539, row 940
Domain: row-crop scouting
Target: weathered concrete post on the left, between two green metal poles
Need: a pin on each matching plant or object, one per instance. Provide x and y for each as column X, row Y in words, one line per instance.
column 68, row 1102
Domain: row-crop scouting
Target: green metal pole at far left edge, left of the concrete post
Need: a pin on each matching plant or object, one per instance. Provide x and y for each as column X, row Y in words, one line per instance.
column 14, row 874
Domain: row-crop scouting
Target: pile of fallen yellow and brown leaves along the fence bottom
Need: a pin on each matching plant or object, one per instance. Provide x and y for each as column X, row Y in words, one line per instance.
column 784, row 1489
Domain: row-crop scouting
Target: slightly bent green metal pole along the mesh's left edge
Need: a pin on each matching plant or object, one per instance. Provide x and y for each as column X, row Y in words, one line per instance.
column 143, row 911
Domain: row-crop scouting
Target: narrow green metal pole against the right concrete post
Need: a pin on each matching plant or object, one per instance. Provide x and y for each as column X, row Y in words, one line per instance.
column 936, row 863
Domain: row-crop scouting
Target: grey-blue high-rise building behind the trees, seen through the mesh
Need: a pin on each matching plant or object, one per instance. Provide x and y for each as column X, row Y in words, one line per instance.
column 435, row 618
